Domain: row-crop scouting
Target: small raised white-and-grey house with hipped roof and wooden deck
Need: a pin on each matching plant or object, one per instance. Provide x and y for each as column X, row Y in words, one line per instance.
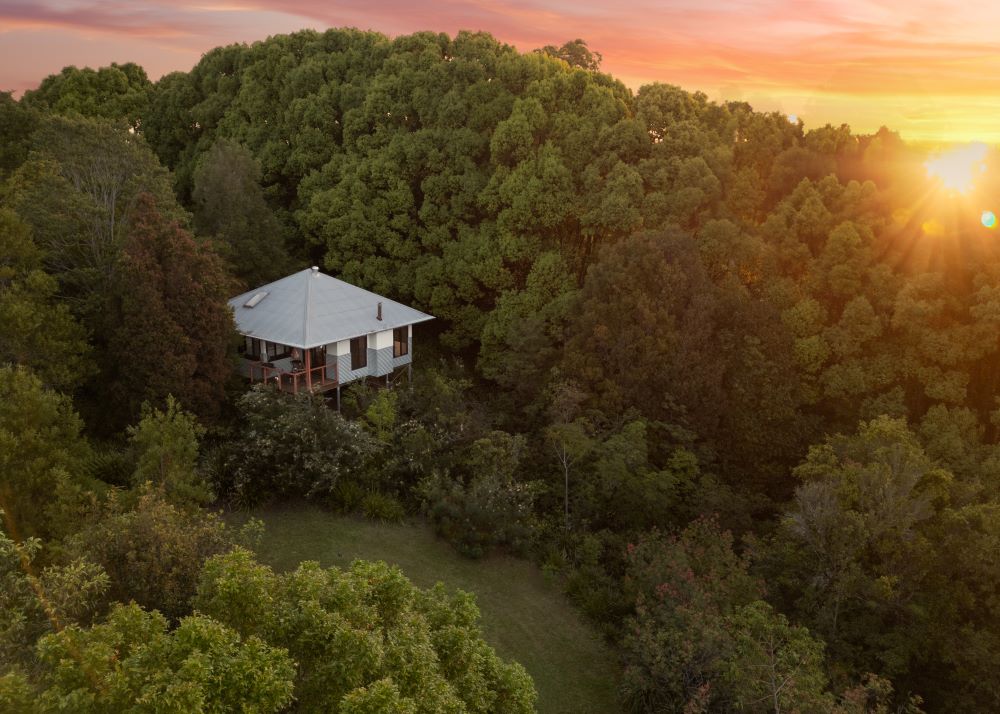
column 312, row 332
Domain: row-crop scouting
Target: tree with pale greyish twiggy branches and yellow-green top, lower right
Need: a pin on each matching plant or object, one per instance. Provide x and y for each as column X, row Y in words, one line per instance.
column 856, row 520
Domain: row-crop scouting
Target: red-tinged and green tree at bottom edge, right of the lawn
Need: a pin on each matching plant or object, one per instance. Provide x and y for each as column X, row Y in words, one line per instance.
column 702, row 639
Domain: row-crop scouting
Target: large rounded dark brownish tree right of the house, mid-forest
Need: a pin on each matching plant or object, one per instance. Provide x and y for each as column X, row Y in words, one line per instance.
column 652, row 332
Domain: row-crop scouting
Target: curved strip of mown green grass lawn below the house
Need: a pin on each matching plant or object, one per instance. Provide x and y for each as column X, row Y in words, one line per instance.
column 524, row 617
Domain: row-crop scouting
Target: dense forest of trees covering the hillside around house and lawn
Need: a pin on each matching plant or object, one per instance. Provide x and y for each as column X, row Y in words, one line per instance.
column 733, row 381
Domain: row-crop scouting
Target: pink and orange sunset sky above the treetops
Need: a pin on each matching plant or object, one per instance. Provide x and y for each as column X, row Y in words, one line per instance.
column 927, row 68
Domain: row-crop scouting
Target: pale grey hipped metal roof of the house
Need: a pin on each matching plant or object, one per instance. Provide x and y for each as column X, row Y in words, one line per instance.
column 308, row 309
